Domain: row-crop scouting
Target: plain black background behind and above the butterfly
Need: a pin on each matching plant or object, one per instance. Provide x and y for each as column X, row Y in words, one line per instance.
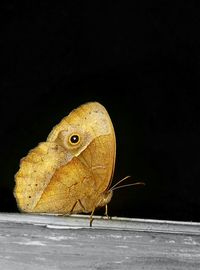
column 141, row 62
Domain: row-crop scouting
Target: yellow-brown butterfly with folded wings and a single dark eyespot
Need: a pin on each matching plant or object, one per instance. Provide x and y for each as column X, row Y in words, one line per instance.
column 71, row 172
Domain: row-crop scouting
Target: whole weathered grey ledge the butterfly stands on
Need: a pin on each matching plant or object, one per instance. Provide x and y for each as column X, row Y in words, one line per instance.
column 52, row 242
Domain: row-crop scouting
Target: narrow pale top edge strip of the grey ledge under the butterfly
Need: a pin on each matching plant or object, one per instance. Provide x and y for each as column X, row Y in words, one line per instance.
column 115, row 223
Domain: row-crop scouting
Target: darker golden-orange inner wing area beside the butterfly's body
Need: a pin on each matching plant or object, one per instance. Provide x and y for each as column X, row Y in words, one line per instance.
column 77, row 186
